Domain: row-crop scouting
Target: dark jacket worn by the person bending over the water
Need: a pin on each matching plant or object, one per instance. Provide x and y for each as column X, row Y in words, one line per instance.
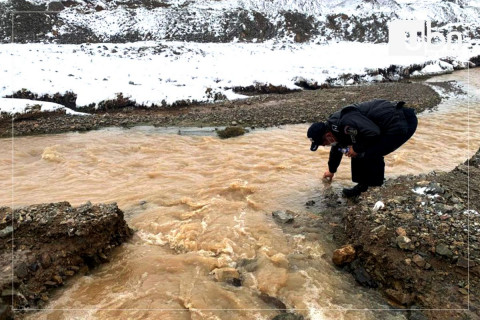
column 361, row 126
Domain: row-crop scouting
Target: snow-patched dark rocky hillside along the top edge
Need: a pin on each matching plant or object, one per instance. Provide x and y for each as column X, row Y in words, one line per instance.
column 79, row 21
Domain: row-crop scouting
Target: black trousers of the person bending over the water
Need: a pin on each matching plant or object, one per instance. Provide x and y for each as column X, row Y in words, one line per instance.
column 370, row 169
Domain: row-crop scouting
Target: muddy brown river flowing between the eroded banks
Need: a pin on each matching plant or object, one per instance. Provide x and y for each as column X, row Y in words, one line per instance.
column 200, row 203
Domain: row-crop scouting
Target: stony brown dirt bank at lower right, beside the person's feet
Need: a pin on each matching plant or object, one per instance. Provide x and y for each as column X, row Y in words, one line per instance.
column 421, row 249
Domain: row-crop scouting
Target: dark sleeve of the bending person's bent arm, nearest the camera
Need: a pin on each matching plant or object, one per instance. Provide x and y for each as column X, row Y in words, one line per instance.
column 367, row 132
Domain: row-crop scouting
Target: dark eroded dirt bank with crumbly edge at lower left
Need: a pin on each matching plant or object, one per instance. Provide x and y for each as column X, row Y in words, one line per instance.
column 43, row 246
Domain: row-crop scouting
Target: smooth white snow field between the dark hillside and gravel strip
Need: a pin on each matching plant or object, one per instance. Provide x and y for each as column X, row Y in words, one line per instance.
column 165, row 72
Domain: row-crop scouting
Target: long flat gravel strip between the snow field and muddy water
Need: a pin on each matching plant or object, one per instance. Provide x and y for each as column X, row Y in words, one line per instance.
column 258, row 111
